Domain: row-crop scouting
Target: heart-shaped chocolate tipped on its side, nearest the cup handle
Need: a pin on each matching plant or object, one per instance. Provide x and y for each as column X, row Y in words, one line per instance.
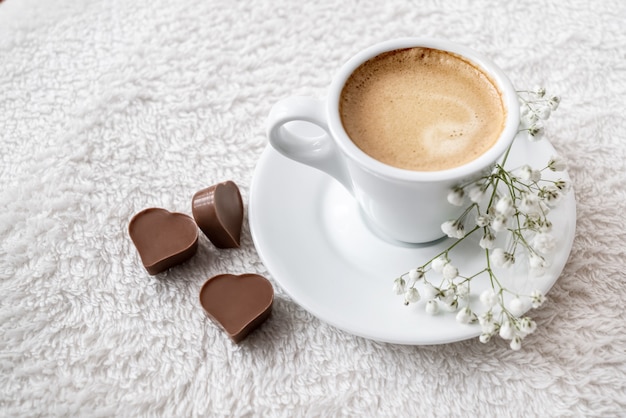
column 218, row 211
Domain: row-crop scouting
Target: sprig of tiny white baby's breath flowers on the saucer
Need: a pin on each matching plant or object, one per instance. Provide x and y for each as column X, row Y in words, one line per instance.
column 513, row 203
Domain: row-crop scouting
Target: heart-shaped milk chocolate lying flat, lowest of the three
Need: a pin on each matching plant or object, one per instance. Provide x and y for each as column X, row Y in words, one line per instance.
column 238, row 304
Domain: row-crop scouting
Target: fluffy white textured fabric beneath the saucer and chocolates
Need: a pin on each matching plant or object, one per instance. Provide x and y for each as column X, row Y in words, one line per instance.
column 109, row 107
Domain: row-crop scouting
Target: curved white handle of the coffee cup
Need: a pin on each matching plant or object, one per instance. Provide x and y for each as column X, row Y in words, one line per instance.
column 298, row 129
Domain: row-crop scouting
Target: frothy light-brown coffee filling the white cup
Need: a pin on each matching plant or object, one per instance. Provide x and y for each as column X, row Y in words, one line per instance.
column 422, row 109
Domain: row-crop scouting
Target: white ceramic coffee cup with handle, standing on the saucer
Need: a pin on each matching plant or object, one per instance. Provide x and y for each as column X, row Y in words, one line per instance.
column 402, row 205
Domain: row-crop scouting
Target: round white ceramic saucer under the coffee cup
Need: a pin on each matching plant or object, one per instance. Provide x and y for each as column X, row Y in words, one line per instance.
column 312, row 238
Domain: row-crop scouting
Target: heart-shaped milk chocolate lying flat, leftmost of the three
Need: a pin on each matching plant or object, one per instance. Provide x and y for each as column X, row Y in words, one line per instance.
column 163, row 239
